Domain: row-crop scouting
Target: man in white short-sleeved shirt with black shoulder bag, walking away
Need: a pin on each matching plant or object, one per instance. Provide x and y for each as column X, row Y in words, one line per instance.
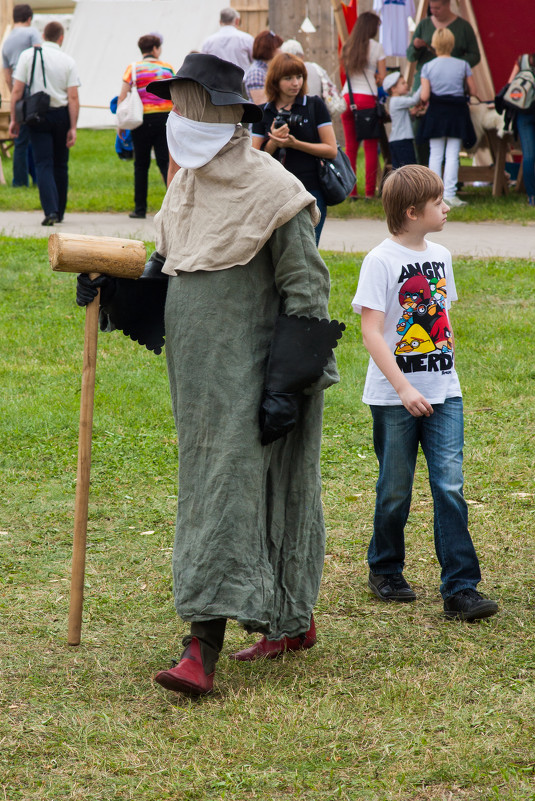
column 52, row 137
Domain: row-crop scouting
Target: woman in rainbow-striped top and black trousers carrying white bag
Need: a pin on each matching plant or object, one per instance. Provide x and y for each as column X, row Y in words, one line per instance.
column 151, row 134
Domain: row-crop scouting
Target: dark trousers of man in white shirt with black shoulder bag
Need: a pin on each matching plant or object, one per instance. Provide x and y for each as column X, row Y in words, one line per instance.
column 51, row 155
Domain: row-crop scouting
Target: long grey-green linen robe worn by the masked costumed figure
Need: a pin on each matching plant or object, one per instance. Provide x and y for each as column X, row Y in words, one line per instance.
column 250, row 535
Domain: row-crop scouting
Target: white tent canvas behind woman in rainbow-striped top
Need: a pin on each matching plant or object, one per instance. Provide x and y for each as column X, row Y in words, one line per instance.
column 102, row 38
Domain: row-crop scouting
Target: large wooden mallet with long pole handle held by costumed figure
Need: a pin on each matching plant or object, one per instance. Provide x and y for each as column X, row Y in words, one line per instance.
column 124, row 258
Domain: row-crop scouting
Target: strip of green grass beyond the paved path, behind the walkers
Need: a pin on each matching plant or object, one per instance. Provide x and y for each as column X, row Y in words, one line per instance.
column 100, row 181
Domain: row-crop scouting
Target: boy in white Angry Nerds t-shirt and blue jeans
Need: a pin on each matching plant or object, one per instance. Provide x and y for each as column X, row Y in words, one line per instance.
column 404, row 293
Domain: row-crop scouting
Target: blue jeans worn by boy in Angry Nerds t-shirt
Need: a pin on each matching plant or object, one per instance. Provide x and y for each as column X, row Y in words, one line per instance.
column 396, row 436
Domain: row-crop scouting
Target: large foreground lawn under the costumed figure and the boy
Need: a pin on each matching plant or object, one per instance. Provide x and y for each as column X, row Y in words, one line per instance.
column 393, row 704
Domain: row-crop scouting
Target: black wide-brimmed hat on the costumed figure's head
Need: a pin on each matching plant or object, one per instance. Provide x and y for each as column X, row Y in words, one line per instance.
column 221, row 79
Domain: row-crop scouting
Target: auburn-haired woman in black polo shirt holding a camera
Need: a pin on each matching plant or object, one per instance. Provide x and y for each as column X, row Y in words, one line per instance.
column 296, row 128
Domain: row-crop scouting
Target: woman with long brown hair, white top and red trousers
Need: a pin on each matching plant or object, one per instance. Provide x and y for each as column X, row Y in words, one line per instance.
column 364, row 63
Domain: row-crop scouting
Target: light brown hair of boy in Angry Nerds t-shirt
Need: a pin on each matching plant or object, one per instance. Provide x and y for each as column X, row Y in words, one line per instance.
column 408, row 187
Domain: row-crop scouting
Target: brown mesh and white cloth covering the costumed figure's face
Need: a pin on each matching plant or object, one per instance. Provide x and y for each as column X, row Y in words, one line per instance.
column 199, row 130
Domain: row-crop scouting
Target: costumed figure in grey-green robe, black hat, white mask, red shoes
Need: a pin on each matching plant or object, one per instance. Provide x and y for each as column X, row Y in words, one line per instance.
column 249, row 350
